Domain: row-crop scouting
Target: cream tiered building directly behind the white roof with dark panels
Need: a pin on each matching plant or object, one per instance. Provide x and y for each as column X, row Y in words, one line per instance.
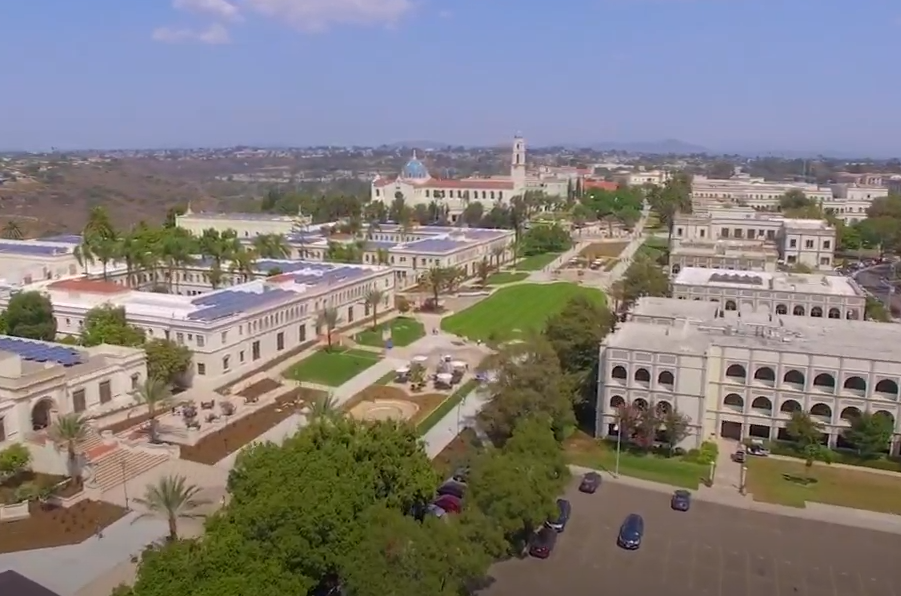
column 710, row 234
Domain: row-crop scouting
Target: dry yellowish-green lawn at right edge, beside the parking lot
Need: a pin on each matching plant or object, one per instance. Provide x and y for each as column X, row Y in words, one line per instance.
column 786, row 482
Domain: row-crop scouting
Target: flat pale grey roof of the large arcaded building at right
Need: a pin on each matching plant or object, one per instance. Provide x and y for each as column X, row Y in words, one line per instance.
column 830, row 337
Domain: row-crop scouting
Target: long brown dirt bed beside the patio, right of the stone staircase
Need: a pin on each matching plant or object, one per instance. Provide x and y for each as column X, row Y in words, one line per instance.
column 225, row 441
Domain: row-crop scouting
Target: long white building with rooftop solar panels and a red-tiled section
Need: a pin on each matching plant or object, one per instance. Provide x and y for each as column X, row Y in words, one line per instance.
column 230, row 330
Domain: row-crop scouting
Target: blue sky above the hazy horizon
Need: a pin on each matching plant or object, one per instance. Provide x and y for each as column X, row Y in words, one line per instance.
column 726, row 74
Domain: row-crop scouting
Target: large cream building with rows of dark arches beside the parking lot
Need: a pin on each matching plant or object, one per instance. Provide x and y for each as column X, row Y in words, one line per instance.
column 741, row 376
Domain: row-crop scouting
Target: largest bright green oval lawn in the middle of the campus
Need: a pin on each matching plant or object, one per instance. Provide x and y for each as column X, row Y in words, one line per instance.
column 511, row 311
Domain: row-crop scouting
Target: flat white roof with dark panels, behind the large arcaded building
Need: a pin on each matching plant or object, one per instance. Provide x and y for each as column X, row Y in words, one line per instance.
column 805, row 283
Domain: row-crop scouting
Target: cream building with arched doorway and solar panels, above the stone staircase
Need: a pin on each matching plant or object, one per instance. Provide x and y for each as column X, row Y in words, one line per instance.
column 40, row 381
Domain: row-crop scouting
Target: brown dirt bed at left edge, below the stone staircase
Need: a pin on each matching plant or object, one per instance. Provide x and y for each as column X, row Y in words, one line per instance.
column 57, row 526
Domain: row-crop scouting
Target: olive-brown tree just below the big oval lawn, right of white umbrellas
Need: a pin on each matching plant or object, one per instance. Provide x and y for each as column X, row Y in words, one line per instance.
column 527, row 381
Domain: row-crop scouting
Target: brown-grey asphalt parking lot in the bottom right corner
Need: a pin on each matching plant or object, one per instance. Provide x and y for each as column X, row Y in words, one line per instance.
column 711, row 550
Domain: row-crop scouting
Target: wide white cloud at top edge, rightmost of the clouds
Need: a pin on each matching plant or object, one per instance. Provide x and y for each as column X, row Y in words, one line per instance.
column 316, row 15
